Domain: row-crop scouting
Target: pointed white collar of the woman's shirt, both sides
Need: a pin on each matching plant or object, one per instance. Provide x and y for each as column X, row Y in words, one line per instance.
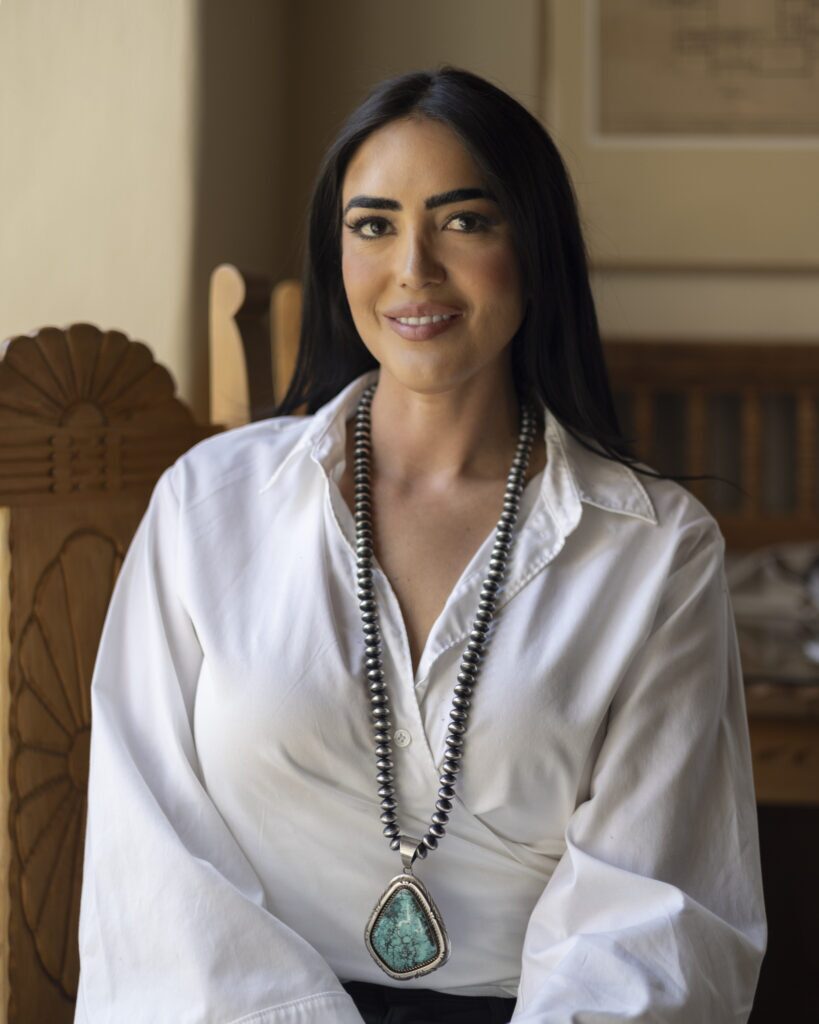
column 573, row 477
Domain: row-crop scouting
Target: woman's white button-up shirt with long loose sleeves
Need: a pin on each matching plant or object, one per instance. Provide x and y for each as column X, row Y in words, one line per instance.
column 601, row 861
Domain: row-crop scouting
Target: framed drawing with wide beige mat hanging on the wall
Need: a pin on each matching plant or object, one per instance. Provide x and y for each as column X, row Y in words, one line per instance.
column 691, row 130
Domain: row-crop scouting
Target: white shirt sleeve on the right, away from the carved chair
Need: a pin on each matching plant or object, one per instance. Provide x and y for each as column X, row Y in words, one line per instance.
column 656, row 911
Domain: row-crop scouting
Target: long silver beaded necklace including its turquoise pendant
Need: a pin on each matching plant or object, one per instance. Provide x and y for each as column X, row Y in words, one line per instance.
column 406, row 935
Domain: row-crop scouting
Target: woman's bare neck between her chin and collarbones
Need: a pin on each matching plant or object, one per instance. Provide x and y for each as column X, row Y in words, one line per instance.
column 435, row 441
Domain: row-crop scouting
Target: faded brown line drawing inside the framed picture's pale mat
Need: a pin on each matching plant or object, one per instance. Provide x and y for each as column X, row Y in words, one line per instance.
column 708, row 68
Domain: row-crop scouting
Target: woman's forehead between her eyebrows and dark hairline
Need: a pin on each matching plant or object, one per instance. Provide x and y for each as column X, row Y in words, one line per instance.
column 410, row 156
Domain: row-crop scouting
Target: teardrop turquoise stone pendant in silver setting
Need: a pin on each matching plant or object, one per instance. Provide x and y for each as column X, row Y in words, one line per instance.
column 406, row 934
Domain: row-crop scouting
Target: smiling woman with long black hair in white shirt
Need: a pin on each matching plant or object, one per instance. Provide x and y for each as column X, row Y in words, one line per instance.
column 425, row 707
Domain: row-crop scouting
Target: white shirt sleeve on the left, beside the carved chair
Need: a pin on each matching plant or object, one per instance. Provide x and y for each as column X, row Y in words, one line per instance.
column 174, row 923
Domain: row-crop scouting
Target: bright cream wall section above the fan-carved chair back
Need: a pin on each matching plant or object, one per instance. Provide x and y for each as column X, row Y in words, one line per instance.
column 98, row 103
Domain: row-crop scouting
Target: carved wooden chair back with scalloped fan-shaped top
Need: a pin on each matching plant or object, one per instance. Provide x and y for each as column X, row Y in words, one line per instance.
column 89, row 422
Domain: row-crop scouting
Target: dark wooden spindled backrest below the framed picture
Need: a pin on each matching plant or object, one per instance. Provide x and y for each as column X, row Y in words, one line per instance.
column 750, row 412
